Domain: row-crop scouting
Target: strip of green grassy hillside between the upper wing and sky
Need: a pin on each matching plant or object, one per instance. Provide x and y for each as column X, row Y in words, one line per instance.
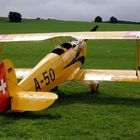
column 34, row 26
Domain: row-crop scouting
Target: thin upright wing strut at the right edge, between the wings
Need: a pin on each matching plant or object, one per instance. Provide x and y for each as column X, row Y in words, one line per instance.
column 138, row 59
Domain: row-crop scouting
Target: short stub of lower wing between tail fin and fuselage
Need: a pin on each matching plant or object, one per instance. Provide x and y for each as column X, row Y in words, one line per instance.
column 22, row 73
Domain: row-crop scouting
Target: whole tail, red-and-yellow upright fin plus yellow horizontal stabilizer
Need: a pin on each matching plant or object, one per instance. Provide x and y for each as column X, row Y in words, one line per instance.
column 14, row 98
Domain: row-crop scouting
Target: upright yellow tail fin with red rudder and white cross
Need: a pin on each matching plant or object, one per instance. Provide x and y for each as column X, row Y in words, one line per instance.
column 8, row 82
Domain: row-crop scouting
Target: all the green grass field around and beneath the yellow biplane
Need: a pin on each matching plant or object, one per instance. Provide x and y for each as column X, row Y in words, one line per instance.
column 114, row 114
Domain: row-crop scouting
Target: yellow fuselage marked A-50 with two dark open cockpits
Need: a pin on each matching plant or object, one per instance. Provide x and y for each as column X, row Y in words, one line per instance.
column 56, row 68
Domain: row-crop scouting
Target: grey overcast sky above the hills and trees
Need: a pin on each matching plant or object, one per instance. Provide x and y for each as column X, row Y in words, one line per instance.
column 83, row 10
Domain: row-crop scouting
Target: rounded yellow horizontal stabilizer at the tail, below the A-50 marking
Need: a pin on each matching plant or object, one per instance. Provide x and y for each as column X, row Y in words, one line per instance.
column 32, row 101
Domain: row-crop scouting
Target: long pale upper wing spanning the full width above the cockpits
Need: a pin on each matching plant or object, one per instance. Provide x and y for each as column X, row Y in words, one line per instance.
column 78, row 35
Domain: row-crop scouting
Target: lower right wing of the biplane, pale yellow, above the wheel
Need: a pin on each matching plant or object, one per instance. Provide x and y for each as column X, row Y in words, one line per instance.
column 107, row 75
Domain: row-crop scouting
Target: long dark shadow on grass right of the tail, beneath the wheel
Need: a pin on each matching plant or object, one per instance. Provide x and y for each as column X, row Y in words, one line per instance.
column 96, row 99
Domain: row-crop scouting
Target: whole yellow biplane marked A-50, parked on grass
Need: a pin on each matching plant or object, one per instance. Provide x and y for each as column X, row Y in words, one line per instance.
column 63, row 64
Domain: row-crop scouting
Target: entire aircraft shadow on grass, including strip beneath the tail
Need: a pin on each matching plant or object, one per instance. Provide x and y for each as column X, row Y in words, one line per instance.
column 71, row 98
